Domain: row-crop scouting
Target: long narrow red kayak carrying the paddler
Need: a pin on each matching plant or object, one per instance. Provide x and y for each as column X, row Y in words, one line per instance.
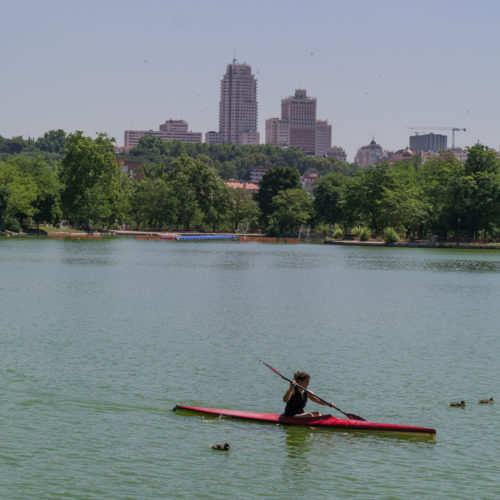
column 344, row 424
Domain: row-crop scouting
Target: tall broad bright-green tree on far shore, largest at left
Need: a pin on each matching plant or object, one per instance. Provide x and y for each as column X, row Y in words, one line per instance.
column 92, row 181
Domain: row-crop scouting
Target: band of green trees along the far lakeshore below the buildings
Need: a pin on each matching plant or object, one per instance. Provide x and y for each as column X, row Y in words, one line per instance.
column 77, row 178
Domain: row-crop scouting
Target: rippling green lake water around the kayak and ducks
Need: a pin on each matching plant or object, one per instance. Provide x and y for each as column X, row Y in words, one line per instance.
column 100, row 339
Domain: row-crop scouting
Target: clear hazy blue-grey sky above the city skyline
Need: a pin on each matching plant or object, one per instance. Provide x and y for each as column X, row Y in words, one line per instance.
column 376, row 68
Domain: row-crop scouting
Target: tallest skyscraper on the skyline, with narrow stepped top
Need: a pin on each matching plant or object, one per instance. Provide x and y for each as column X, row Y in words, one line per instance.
column 238, row 106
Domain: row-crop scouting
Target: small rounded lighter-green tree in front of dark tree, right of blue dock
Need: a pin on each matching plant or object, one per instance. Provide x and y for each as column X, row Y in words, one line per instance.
column 291, row 208
